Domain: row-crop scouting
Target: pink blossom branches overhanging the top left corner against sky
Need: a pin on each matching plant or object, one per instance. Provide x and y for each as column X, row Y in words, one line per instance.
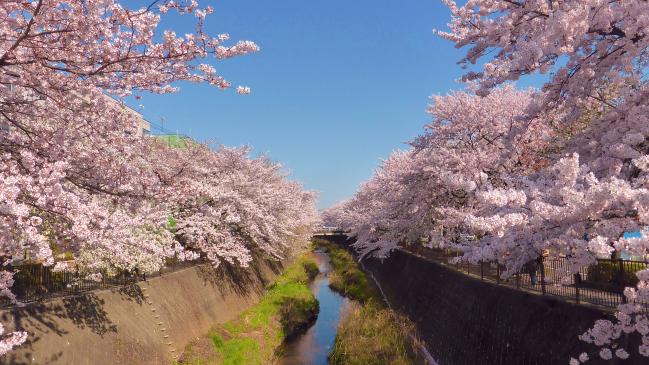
column 52, row 46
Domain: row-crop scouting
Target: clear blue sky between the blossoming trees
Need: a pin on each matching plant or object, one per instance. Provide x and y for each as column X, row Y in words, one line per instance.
column 337, row 85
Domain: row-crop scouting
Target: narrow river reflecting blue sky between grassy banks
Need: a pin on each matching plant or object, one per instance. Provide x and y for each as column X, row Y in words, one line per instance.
column 314, row 346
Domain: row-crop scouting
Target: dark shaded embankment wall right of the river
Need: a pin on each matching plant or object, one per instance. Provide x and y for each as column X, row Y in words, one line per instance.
column 466, row 321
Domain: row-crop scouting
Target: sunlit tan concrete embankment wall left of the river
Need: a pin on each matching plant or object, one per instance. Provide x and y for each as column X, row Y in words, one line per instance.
column 146, row 323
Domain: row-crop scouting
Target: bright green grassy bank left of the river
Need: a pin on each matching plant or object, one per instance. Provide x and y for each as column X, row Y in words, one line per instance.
column 287, row 308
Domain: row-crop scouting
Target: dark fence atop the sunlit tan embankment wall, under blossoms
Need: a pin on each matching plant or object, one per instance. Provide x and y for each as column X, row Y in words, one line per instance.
column 35, row 282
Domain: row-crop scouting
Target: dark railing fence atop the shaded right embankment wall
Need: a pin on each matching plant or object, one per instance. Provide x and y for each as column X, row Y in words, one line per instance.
column 601, row 284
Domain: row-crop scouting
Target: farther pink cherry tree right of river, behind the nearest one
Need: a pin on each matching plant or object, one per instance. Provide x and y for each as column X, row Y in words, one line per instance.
column 474, row 143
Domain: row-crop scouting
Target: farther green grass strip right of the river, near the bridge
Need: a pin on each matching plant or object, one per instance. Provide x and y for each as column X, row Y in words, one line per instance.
column 347, row 278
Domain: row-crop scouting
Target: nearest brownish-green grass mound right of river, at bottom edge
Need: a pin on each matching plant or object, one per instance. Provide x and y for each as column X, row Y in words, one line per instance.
column 372, row 334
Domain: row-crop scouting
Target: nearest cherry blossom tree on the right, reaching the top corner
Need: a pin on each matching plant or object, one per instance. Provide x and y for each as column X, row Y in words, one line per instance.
column 595, row 54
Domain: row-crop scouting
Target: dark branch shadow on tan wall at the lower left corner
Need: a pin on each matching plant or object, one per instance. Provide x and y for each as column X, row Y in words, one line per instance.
column 43, row 320
